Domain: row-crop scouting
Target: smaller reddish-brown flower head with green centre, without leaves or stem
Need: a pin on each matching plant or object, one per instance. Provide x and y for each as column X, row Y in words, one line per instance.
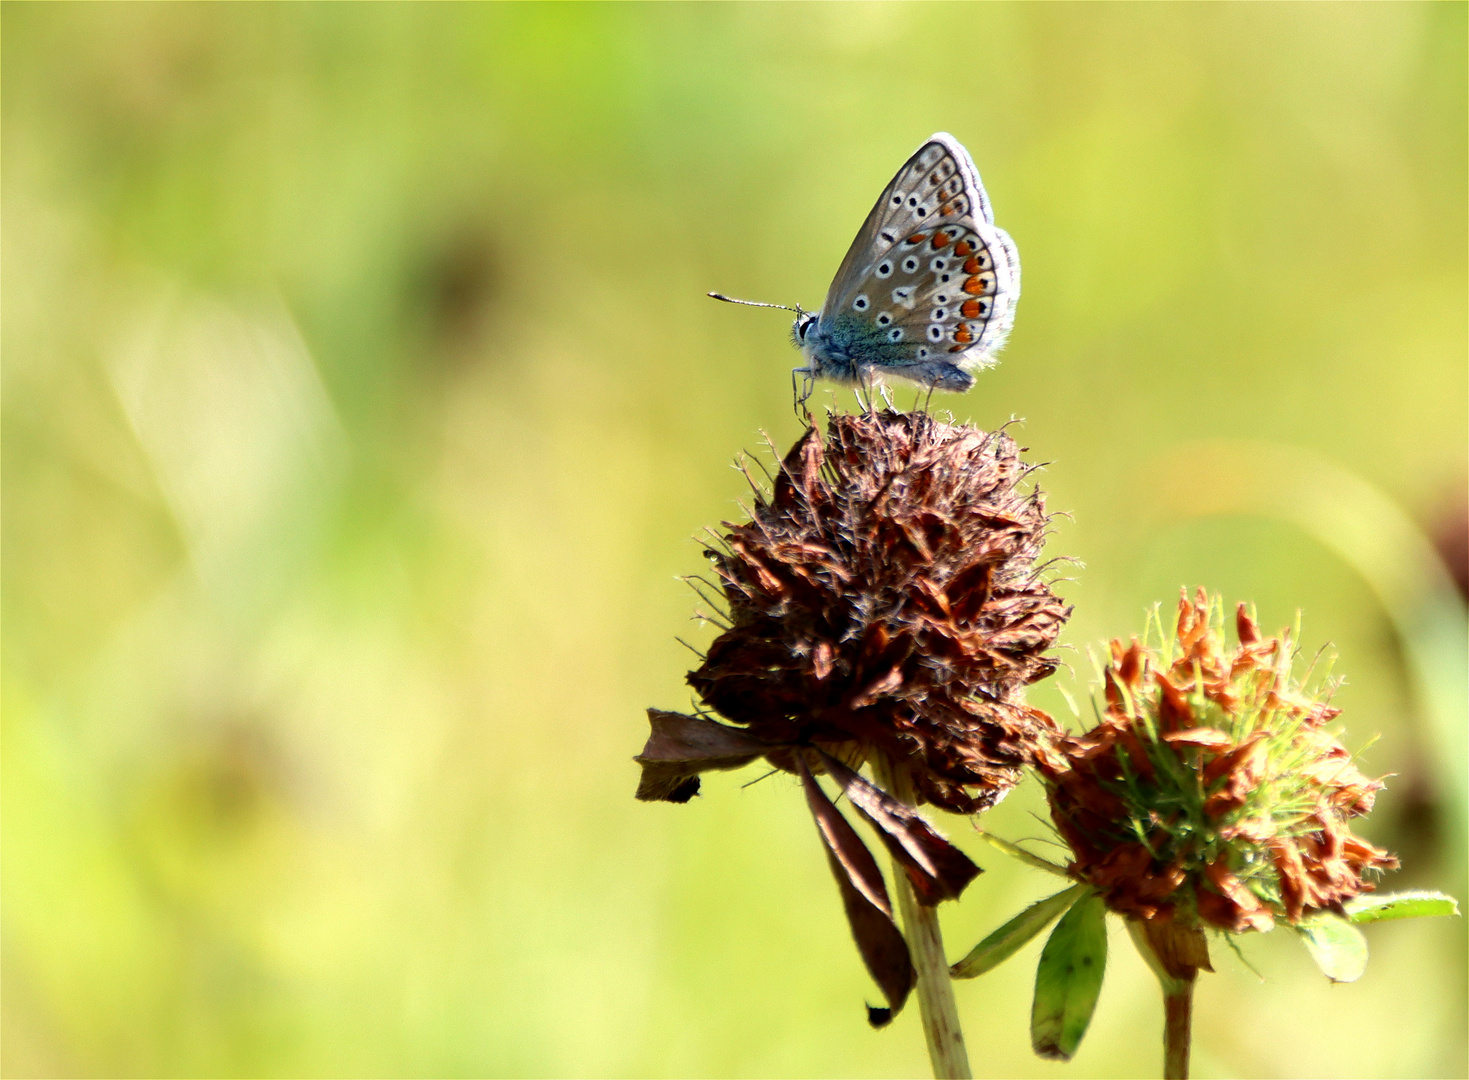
column 1211, row 791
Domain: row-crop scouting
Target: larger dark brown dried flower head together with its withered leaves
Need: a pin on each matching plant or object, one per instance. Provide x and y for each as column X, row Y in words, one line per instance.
column 884, row 605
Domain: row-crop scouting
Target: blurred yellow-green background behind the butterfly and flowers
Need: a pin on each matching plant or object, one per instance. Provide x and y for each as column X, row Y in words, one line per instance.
column 361, row 403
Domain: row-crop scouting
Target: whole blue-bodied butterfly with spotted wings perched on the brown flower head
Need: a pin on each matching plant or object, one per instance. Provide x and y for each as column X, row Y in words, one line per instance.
column 928, row 290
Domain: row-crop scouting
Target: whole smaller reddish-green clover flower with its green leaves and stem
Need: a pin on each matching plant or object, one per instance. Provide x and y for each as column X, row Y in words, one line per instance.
column 1208, row 797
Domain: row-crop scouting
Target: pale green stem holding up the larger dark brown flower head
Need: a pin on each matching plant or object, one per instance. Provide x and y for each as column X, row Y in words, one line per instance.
column 941, row 1016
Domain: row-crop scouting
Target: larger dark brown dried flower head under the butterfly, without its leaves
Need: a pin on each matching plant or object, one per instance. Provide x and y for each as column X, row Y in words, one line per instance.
column 887, row 596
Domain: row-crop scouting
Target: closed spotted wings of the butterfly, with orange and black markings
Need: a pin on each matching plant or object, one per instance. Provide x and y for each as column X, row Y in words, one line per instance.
column 929, row 267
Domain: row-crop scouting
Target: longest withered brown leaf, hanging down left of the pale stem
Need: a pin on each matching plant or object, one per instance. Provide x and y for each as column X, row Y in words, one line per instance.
column 865, row 896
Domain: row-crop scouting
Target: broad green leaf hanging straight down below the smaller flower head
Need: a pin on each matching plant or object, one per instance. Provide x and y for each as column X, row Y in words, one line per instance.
column 1069, row 981
